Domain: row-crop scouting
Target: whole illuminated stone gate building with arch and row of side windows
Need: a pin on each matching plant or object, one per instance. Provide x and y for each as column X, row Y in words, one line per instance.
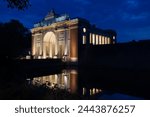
column 58, row 36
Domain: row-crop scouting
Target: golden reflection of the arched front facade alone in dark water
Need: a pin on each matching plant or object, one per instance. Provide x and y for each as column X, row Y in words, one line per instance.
column 66, row 80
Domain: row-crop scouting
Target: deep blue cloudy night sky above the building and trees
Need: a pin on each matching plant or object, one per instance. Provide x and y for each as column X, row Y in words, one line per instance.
column 130, row 18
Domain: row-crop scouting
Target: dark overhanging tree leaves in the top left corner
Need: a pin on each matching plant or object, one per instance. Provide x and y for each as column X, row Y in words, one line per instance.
column 19, row 4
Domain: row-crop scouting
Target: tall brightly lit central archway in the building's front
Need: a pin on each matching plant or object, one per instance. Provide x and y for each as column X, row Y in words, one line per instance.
column 49, row 45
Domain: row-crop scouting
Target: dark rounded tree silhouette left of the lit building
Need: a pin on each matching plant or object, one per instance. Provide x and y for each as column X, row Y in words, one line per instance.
column 14, row 38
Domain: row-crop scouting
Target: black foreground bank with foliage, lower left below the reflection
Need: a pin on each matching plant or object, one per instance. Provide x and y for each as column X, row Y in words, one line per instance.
column 20, row 91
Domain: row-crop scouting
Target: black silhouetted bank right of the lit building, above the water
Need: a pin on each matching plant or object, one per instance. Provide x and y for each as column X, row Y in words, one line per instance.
column 132, row 55
